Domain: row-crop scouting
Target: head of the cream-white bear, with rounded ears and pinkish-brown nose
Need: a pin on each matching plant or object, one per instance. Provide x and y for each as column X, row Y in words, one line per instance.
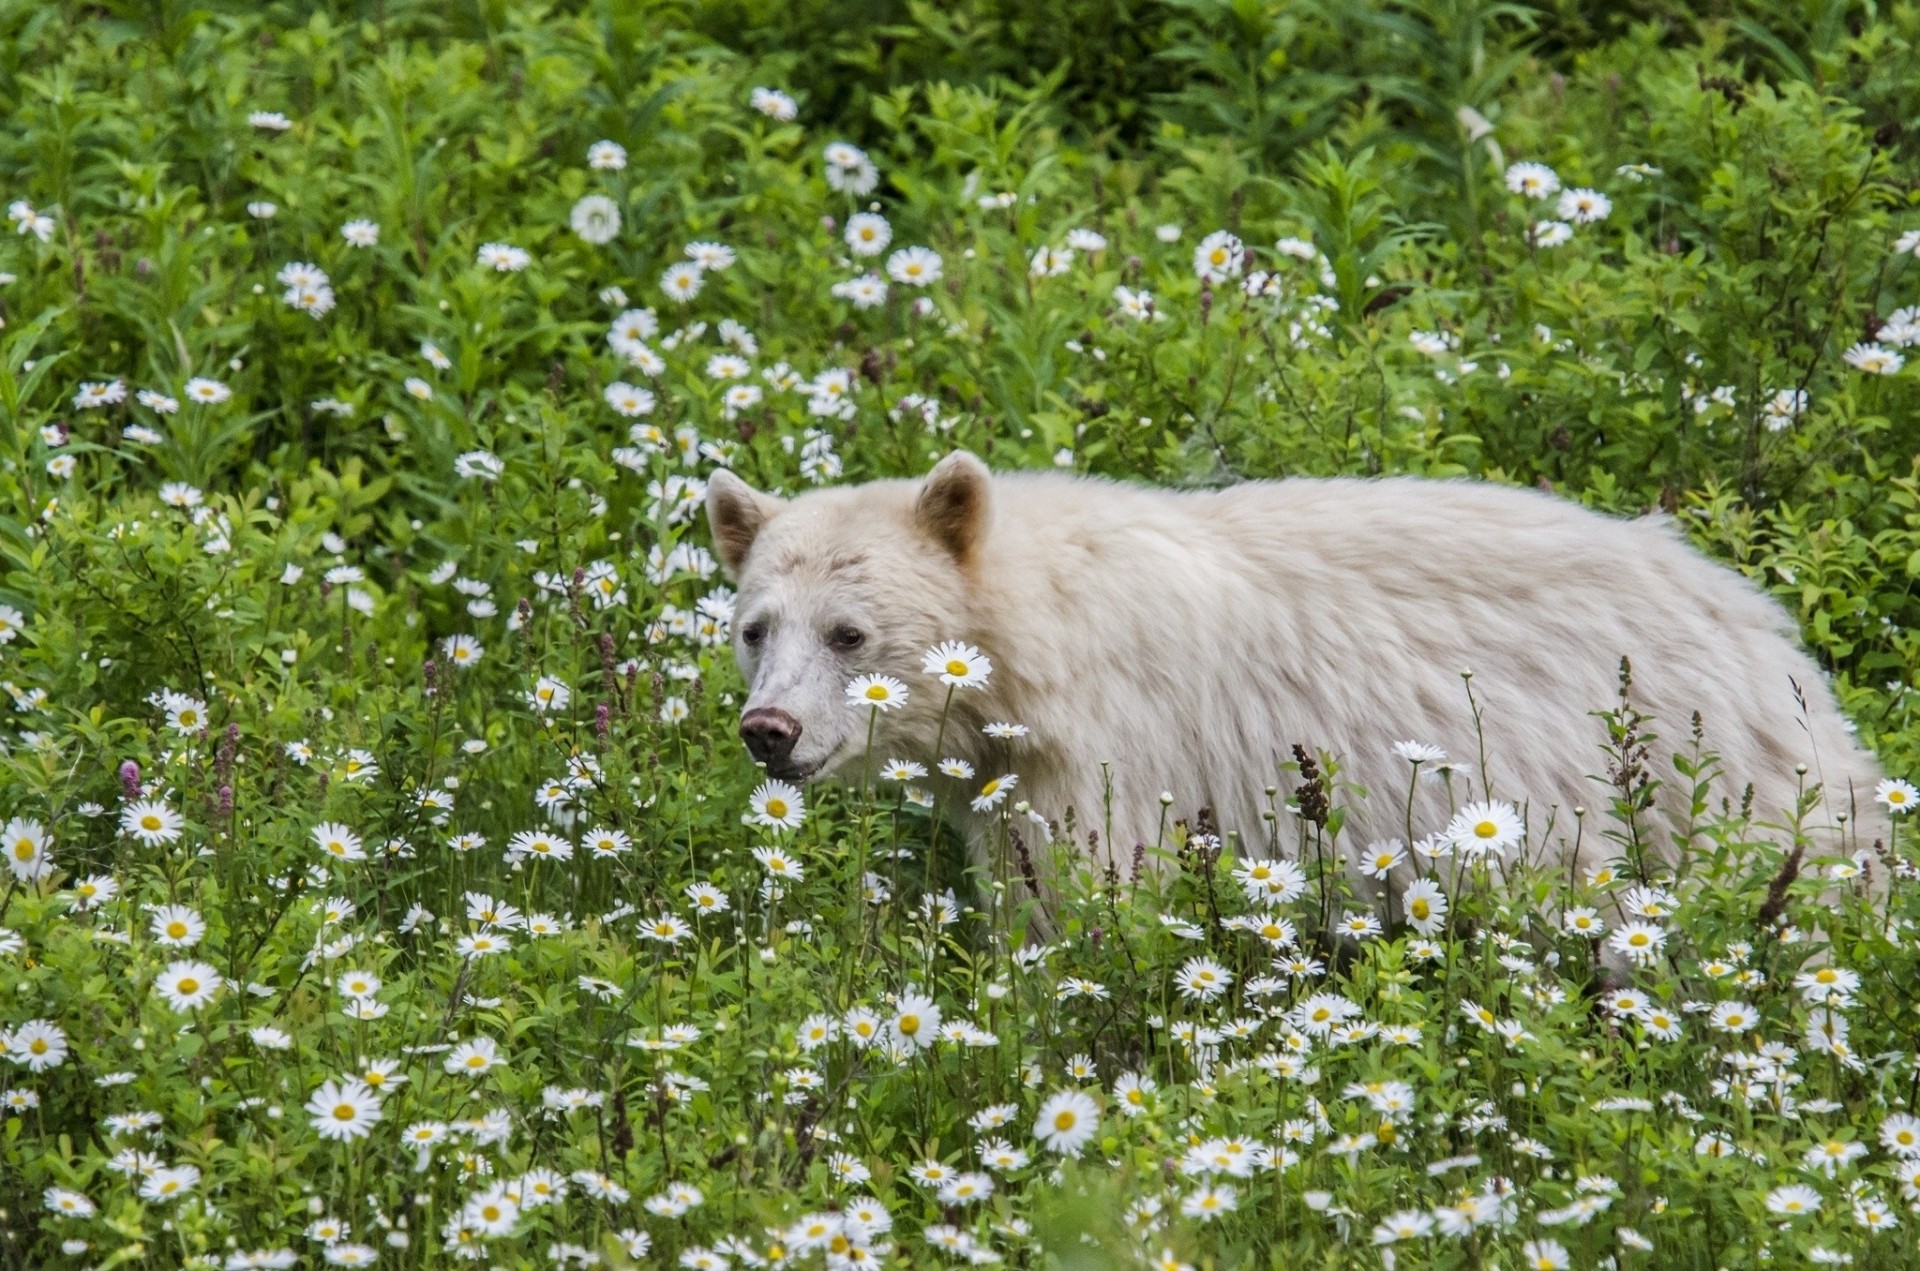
column 838, row 585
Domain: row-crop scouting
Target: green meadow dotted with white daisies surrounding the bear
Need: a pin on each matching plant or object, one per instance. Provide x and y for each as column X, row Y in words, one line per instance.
column 387, row 884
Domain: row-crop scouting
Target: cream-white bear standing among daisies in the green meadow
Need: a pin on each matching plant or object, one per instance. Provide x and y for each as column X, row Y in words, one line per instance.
column 1186, row 642
